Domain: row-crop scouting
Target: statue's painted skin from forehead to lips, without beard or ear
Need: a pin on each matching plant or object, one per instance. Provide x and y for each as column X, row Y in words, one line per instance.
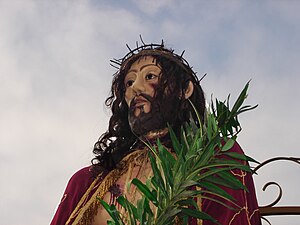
column 140, row 82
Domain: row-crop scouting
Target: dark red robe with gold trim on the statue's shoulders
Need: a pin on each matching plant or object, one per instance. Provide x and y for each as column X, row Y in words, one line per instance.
column 82, row 187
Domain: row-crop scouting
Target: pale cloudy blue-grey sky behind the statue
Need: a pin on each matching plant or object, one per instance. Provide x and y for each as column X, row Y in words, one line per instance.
column 55, row 76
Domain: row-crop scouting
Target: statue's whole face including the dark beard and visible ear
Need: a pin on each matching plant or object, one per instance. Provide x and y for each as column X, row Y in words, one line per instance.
column 146, row 111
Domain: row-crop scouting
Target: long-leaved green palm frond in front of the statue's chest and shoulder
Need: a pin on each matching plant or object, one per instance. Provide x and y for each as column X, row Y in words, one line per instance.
column 194, row 170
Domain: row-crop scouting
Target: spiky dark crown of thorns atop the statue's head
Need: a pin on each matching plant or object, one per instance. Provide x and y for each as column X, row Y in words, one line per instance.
column 152, row 50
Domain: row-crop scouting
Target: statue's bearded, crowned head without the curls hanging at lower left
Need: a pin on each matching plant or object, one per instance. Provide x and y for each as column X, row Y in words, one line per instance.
column 153, row 85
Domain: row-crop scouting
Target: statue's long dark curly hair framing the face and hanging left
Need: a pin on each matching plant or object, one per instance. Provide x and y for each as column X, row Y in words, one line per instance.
column 176, row 75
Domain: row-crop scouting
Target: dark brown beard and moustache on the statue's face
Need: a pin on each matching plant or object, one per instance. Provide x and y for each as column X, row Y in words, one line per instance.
column 160, row 115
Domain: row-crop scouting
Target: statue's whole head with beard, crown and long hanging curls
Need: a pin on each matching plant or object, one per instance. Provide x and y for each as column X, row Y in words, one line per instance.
column 152, row 88
